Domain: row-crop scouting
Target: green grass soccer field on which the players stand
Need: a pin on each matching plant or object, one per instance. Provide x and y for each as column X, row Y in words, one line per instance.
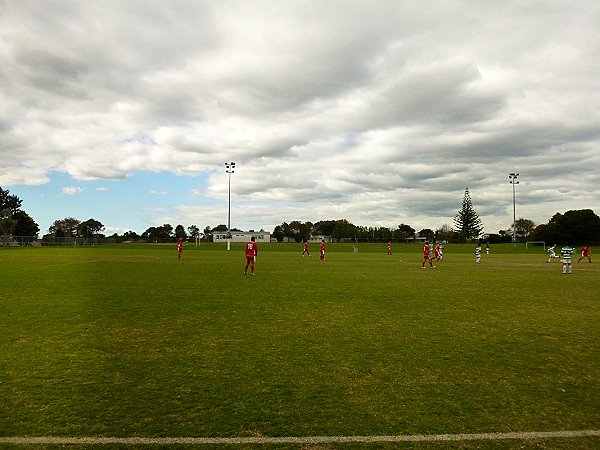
column 130, row 342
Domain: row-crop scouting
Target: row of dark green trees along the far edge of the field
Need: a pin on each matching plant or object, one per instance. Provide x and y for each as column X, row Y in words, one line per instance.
column 575, row 226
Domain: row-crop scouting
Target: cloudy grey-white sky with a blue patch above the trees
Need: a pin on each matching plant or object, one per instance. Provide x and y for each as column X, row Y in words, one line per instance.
column 380, row 112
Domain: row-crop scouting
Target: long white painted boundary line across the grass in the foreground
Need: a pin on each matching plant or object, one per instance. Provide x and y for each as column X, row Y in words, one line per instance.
column 98, row 440
